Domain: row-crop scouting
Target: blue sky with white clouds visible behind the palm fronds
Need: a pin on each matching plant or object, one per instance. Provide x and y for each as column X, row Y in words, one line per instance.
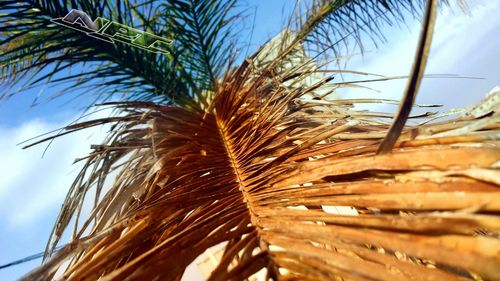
column 32, row 188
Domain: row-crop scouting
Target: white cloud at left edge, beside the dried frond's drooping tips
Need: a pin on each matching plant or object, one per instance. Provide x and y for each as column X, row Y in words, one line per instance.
column 31, row 186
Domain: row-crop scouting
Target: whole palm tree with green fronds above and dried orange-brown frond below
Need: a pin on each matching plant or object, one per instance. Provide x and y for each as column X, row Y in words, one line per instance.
column 204, row 153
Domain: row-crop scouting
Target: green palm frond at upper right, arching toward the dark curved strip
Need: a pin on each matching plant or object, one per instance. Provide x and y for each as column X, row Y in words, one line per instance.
column 335, row 25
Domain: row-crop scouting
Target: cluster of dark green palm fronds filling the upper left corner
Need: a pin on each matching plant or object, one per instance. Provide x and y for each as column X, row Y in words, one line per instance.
column 32, row 44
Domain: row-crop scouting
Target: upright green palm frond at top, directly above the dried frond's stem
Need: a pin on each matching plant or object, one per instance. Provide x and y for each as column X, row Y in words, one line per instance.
column 204, row 31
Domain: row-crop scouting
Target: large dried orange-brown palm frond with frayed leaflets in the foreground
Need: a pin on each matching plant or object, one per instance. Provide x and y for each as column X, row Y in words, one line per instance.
column 285, row 182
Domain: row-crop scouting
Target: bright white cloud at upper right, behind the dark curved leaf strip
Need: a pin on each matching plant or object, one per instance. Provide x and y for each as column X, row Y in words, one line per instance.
column 463, row 44
